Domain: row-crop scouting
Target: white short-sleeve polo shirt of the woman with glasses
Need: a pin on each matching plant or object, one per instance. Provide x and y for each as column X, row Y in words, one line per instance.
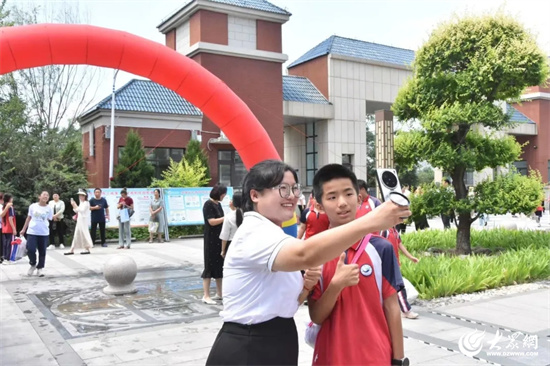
column 252, row 292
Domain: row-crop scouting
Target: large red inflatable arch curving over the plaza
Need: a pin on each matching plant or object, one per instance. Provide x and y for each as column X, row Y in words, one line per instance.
column 69, row 44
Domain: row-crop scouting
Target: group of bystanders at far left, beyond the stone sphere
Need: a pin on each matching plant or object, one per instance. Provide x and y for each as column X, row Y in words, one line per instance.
column 45, row 222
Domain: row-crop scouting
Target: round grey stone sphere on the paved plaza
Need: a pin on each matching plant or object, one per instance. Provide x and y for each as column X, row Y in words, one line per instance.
column 120, row 272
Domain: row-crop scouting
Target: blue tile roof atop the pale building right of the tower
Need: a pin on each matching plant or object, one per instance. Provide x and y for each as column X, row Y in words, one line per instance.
column 359, row 49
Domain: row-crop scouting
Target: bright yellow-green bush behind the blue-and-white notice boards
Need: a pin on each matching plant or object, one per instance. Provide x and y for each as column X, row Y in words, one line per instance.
column 182, row 174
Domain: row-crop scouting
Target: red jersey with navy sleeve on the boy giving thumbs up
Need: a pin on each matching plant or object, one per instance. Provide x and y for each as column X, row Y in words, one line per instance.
column 356, row 331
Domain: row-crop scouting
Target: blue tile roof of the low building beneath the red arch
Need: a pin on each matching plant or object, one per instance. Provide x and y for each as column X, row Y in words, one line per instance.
column 147, row 96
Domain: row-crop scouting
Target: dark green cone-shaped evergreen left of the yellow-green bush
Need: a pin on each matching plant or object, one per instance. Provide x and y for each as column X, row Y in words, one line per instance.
column 133, row 169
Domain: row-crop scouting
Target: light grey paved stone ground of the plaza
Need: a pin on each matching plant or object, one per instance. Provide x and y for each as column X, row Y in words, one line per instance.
column 65, row 319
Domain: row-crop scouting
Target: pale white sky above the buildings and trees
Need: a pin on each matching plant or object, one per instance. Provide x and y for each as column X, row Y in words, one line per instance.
column 399, row 23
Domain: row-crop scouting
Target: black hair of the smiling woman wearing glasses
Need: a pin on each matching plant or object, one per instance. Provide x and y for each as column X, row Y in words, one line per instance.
column 266, row 174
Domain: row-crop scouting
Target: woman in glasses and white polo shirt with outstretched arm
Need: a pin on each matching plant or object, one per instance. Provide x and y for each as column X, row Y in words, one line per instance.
column 262, row 279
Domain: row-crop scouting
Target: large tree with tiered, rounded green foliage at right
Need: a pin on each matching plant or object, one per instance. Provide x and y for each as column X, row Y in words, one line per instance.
column 460, row 75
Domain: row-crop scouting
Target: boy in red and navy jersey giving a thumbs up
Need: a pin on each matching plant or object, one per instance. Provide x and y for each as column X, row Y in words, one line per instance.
column 355, row 304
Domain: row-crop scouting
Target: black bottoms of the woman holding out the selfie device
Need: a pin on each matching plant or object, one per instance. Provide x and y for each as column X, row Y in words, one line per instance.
column 274, row 342
